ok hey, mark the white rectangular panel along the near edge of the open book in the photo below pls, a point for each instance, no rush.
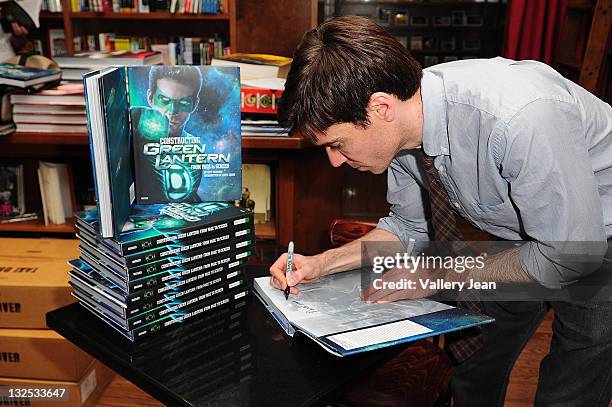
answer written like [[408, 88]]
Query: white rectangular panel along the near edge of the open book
[[378, 334]]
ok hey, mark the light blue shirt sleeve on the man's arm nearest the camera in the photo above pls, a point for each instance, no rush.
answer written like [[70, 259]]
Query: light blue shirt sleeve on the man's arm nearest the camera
[[555, 192]]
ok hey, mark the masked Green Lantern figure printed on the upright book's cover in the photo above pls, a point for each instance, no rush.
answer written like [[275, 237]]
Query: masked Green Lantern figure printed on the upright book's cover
[[173, 95]]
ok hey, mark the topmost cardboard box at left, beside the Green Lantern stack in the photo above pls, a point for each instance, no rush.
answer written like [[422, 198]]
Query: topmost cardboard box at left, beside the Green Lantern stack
[[33, 279]]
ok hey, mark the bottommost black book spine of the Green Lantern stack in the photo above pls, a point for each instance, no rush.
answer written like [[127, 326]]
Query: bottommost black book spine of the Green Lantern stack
[[188, 314]]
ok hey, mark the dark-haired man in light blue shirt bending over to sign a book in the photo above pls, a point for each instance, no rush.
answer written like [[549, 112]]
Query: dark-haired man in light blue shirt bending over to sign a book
[[520, 152]]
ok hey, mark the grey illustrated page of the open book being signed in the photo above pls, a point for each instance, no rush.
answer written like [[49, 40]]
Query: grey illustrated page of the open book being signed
[[333, 305]]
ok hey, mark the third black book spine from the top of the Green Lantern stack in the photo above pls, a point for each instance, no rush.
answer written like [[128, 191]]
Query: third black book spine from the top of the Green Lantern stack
[[185, 259]]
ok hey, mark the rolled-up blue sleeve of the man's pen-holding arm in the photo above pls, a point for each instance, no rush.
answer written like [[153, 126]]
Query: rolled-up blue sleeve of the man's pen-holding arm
[[407, 217]]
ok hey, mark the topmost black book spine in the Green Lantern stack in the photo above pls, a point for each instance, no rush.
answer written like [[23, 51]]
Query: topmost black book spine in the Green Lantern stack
[[185, 234]]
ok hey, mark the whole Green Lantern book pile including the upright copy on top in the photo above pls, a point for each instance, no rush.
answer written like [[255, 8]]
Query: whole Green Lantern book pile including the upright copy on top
[[163, 246]]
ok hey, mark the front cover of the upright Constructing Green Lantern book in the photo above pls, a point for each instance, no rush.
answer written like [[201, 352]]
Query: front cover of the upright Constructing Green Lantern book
[[186, 129]]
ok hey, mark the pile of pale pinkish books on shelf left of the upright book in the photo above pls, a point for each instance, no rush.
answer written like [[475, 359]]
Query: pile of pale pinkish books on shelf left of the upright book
[[58, 109]]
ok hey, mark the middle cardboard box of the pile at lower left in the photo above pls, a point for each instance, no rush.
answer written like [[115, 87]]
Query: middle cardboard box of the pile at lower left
[[40, 354]]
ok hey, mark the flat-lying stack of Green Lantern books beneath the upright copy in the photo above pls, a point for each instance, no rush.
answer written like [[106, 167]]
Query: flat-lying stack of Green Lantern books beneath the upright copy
[[171, 263]]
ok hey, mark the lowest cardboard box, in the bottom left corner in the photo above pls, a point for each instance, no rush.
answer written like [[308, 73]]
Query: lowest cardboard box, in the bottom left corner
[[85, 392]]
